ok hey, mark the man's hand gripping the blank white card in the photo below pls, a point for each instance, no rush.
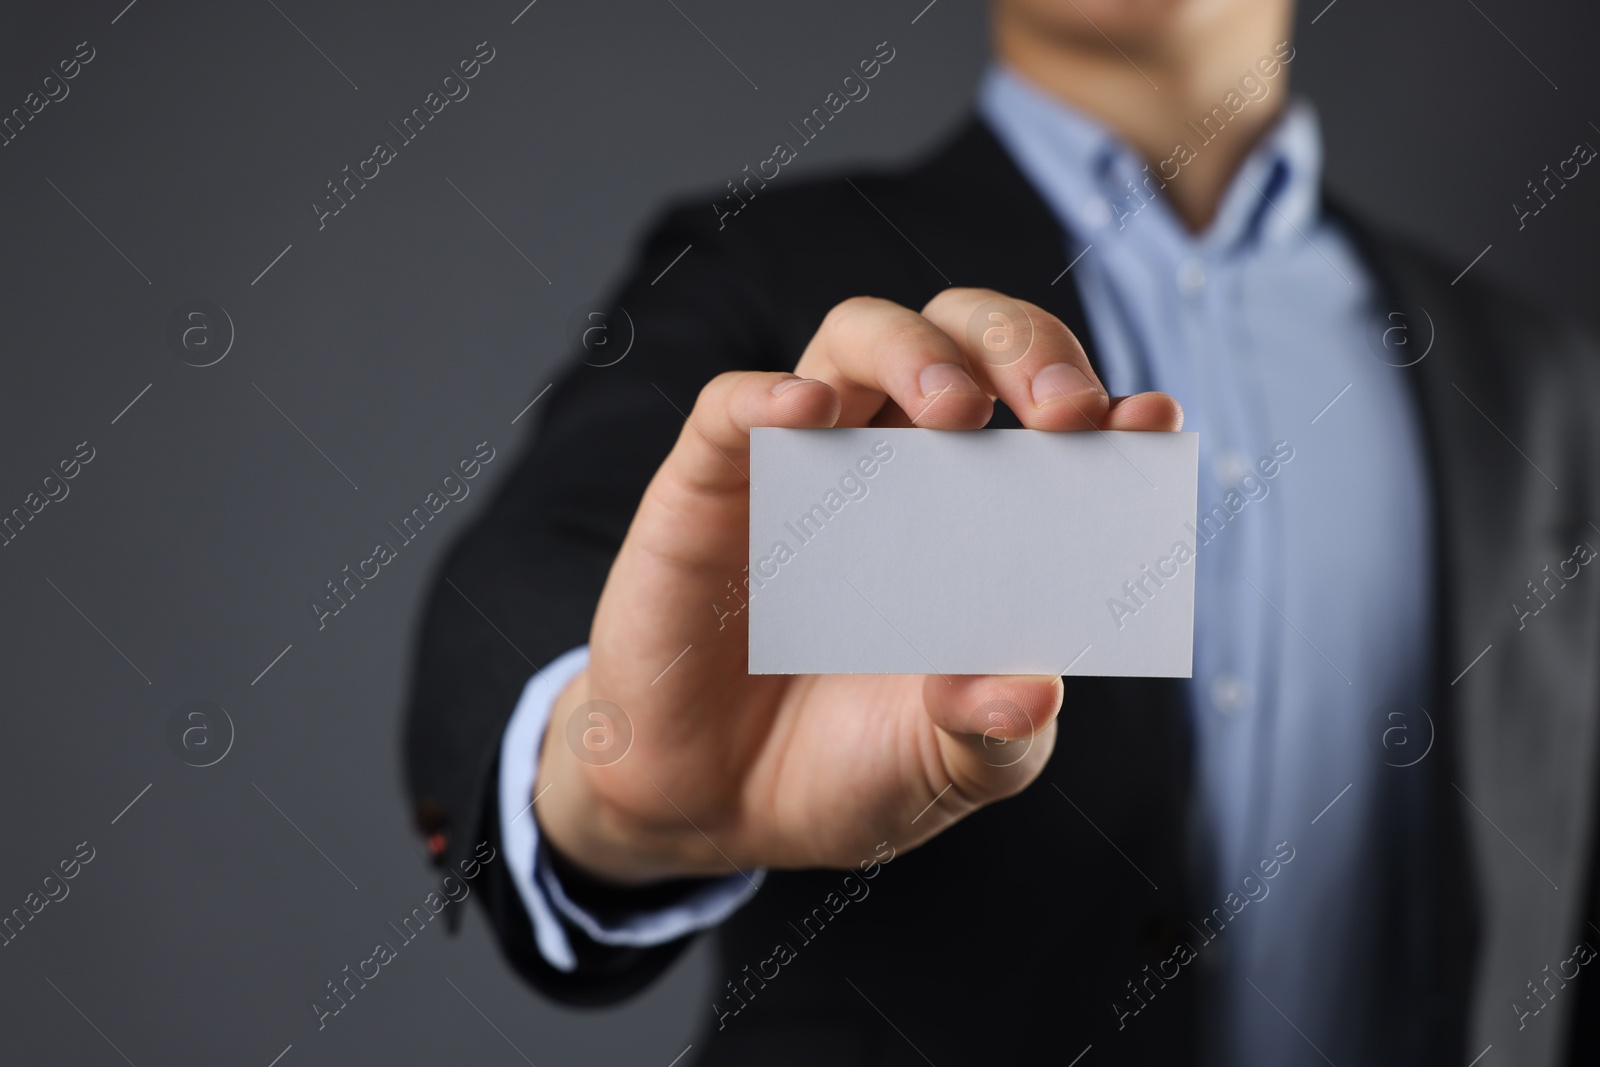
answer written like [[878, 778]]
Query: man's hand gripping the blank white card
[[730, 770]]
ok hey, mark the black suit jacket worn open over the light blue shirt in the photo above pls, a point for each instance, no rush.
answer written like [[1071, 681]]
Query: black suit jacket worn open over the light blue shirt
[[1009, 938]]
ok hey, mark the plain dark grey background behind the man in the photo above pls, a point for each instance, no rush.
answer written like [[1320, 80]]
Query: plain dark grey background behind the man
[[396, 340]]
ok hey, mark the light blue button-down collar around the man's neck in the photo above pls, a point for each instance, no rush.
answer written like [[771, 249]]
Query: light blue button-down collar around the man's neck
[[1082, 169]]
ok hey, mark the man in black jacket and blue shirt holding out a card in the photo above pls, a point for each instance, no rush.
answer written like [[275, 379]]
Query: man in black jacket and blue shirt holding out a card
[[1362, 833]]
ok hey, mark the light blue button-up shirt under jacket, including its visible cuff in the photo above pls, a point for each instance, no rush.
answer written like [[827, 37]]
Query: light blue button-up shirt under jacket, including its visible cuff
[[1313, 583]]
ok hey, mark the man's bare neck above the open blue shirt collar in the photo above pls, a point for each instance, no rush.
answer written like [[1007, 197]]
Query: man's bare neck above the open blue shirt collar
[[1151, 97]]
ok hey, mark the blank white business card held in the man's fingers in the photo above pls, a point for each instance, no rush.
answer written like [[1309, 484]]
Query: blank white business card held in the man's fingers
[[914, 551]]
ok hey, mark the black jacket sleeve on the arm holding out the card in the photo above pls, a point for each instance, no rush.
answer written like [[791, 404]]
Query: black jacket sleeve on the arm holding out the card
[[521, 586]]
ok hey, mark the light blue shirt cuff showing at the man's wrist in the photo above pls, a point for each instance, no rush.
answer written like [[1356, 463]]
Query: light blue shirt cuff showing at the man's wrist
[[537, 884]]
